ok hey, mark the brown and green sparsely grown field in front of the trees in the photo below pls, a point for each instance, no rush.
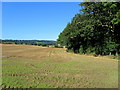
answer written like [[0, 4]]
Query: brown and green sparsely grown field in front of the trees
[[25, 66]]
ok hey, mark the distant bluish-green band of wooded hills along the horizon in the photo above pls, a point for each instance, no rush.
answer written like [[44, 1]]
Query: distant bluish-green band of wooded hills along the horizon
[[30, 42]]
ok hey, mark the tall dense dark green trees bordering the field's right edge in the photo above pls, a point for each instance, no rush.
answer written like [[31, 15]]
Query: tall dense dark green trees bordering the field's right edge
[[95, 30]]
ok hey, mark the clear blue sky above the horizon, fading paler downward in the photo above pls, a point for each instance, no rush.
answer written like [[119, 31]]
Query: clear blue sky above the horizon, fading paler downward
[[36, 20]]
